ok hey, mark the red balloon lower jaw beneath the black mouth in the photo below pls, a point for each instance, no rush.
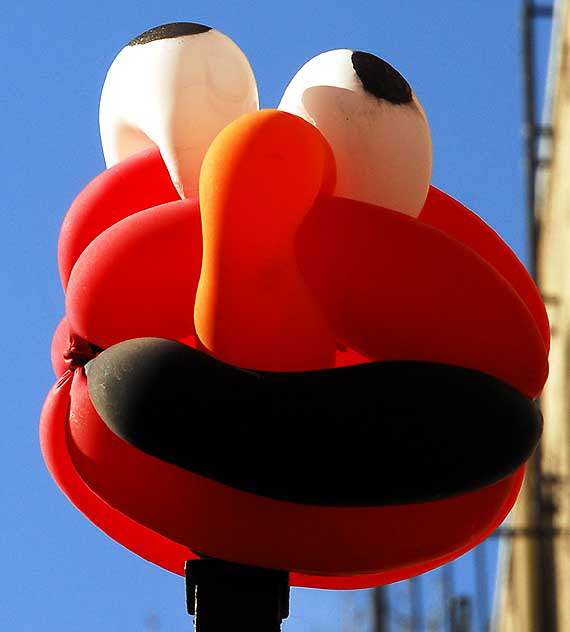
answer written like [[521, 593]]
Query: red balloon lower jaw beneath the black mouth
[[153, 507]]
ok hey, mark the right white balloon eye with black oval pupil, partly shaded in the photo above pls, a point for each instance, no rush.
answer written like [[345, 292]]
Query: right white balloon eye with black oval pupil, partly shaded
[[374, 123]]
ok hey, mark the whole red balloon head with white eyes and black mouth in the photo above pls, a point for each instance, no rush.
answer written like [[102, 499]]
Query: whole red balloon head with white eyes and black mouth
[[282, 347]]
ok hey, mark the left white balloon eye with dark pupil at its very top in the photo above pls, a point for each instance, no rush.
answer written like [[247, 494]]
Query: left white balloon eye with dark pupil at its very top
[[175, 86]]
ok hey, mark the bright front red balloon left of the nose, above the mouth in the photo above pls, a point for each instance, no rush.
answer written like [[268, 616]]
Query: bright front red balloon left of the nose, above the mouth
[[138, 277]]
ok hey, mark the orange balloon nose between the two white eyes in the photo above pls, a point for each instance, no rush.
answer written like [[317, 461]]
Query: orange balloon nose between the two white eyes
[[259, 178]]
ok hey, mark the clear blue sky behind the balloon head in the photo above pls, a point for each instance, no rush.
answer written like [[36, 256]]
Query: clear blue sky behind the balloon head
[[462, 58]]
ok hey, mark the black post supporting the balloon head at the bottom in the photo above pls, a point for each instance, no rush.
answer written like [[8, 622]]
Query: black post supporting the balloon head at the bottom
[[224, 596]]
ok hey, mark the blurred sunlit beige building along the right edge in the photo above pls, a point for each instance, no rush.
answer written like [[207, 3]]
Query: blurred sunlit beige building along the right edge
[[534, 592]]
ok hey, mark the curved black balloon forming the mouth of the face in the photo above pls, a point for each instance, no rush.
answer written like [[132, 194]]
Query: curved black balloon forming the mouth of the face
[[380, 433]]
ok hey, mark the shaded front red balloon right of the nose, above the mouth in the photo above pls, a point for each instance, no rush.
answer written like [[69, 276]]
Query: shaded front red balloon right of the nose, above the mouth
[[394, 288]]
